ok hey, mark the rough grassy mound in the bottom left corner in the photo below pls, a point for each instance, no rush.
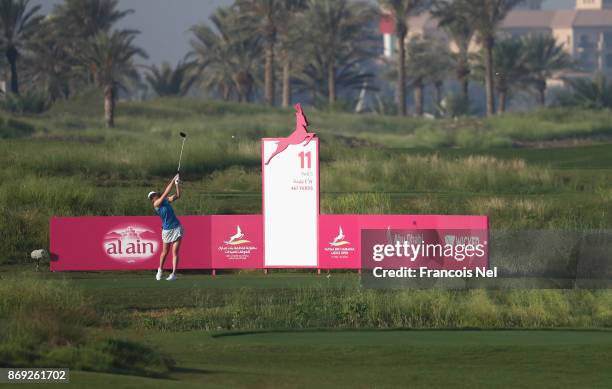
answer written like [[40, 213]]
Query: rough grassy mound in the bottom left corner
[[51, 324]]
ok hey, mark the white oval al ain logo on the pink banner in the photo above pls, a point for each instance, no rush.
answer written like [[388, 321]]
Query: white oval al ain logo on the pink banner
[[130, 243]]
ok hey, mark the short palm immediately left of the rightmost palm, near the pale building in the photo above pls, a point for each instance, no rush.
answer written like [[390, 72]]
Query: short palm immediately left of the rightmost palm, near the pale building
[[509, 57]]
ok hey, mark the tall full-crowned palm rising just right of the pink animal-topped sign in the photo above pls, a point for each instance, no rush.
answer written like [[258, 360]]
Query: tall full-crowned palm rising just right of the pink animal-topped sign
[[337, 29]]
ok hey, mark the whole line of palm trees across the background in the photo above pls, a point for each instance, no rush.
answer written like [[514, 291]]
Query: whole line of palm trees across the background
[[273, 49]]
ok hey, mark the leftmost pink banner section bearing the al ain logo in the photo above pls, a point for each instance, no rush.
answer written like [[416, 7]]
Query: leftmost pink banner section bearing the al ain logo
[[124, 243]]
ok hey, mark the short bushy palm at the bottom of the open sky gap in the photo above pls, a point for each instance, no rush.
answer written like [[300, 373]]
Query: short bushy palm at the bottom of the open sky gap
[[169, 81]]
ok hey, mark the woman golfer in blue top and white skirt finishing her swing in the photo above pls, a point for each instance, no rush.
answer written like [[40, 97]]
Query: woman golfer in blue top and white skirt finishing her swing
[[172, 230]]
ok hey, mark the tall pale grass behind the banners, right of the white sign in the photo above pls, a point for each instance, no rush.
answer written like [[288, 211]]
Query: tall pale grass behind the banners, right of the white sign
[[405, 172]]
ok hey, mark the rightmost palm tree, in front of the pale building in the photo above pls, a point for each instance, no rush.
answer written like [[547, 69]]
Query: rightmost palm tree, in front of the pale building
[[544, 57]]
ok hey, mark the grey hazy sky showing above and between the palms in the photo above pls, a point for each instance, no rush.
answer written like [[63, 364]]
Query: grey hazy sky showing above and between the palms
[[164, 23]]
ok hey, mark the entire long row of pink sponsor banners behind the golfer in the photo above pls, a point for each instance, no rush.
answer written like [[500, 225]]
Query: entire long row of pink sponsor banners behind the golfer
[[236, 241]]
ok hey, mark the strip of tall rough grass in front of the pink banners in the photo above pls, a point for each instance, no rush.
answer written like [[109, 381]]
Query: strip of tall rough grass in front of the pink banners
[[356, 308]]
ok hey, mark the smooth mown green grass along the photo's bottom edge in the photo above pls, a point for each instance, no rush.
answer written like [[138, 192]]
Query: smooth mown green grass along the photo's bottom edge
[[377, 359]]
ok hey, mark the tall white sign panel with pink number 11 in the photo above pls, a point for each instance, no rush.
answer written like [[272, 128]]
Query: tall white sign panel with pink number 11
[[291, 203]]
